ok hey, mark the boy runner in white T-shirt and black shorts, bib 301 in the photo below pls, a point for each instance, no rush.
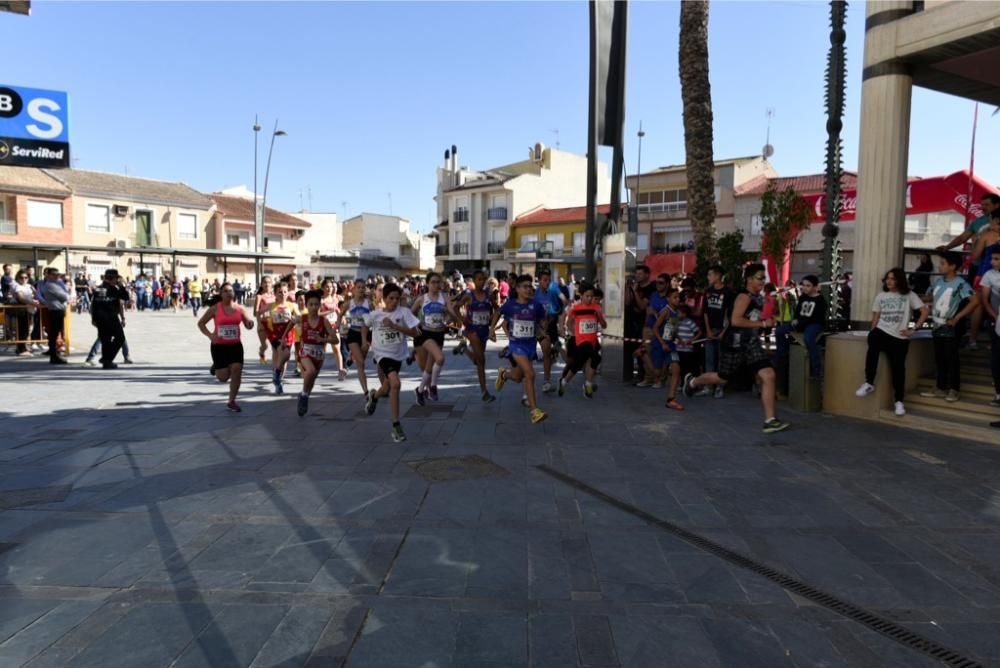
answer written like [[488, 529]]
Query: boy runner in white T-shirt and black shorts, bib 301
[[389, 327]]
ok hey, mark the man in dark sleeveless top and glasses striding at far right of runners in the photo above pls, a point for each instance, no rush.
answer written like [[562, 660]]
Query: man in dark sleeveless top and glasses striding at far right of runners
[[742, 347]]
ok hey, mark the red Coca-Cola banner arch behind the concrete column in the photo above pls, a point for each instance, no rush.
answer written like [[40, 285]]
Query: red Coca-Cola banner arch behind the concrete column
[[930, 195]]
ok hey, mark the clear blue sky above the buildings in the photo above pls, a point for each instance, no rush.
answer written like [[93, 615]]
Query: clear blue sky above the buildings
[[372, 93]]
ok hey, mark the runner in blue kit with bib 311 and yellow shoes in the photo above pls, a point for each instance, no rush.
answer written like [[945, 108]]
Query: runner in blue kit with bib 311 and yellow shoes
[[525, 317]]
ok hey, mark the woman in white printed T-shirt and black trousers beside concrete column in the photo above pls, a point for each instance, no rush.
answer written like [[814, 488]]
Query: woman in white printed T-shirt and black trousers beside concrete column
[[891, 332]]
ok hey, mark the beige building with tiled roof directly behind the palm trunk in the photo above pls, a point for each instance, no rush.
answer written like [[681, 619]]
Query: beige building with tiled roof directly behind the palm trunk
[[661, 198]]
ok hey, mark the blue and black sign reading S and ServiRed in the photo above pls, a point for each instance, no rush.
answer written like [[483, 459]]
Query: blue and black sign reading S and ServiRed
[[34, 127]]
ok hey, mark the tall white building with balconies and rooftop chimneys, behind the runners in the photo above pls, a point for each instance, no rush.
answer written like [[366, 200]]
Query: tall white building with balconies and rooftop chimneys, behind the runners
[[475, 209]]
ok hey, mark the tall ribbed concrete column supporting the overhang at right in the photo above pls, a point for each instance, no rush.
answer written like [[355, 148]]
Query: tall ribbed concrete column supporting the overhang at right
[[882, 157]]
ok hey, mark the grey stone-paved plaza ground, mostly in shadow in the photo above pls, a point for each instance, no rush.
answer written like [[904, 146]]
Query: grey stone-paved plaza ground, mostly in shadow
[[143, 525]]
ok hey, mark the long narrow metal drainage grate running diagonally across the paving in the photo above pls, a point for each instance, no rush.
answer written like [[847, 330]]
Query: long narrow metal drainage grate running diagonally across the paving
[[886, 627]]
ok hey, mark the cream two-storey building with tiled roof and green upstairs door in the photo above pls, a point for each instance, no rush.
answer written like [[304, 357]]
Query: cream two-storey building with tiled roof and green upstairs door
[[128, 215]]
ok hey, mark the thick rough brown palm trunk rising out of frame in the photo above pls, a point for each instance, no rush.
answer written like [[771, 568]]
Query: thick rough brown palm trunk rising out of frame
[[696, 95]]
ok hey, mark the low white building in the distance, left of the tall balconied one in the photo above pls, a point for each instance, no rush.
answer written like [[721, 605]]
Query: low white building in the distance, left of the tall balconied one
[[376, 235]]
